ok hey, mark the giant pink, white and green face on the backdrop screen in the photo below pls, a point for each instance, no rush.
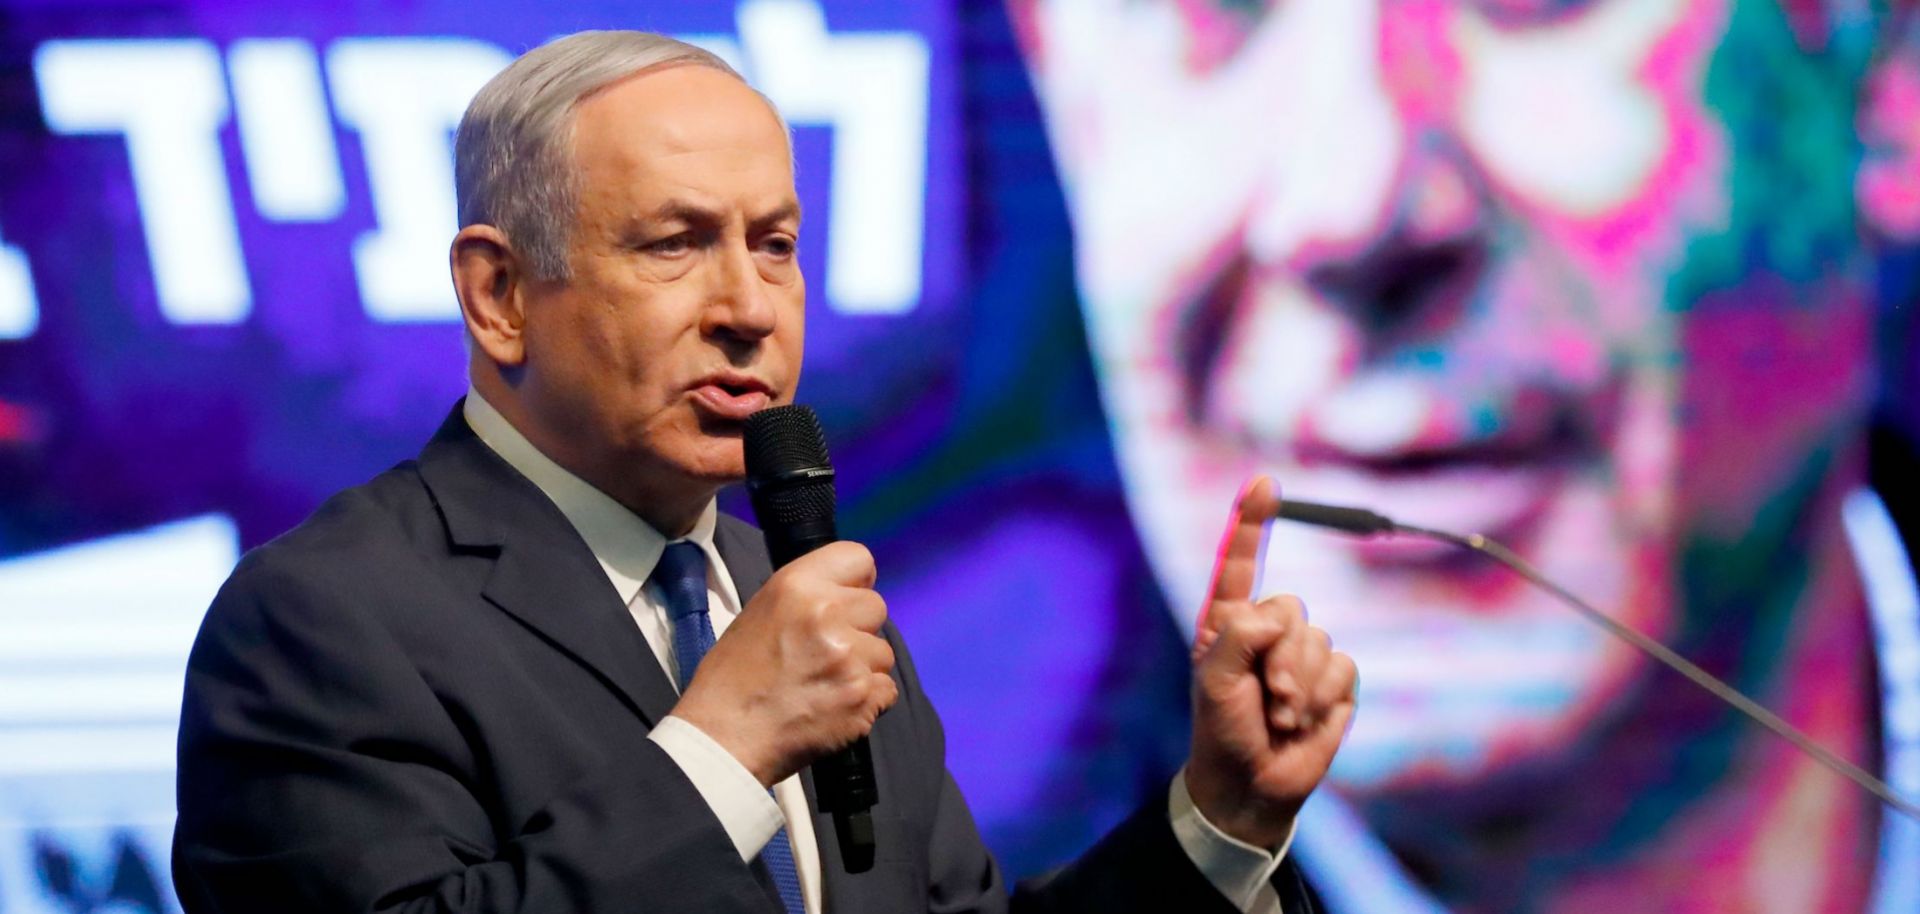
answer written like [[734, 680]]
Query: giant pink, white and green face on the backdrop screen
[[1481, 266]]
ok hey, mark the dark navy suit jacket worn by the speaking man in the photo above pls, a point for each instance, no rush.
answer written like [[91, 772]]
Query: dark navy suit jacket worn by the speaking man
[[429, 698]]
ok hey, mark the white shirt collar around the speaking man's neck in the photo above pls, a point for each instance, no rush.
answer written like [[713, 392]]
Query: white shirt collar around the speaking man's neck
[[625, 546]]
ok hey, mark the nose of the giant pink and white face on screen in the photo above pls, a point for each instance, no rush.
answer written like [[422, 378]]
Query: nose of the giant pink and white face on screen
[[1372, 203]]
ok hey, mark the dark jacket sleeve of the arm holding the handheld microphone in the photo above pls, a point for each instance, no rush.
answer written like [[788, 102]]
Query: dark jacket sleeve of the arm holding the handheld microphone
[[322, 773]]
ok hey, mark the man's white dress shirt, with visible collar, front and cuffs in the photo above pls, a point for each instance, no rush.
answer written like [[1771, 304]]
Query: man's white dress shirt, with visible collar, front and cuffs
[[629, 548]]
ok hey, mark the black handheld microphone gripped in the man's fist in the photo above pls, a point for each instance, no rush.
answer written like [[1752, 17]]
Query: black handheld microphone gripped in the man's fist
[[792, 487]]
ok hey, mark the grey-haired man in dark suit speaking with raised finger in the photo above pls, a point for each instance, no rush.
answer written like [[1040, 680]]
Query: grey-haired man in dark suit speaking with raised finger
[[537, 671]]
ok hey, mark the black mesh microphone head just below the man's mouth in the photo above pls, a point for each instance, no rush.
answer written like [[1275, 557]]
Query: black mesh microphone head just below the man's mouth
[[790, 481]]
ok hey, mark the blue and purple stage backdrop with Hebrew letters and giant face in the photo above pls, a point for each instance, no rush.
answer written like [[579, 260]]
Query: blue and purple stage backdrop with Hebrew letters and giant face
[[1627, 281]]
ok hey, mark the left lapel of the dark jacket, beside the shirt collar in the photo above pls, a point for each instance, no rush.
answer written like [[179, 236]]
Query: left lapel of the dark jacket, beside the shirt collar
[[544, 575]]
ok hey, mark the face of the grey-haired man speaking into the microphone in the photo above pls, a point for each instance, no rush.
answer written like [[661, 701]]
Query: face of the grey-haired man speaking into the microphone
[[684, 310]]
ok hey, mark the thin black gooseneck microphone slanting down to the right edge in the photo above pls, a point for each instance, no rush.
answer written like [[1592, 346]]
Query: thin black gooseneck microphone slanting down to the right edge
[[1366, 523]]
